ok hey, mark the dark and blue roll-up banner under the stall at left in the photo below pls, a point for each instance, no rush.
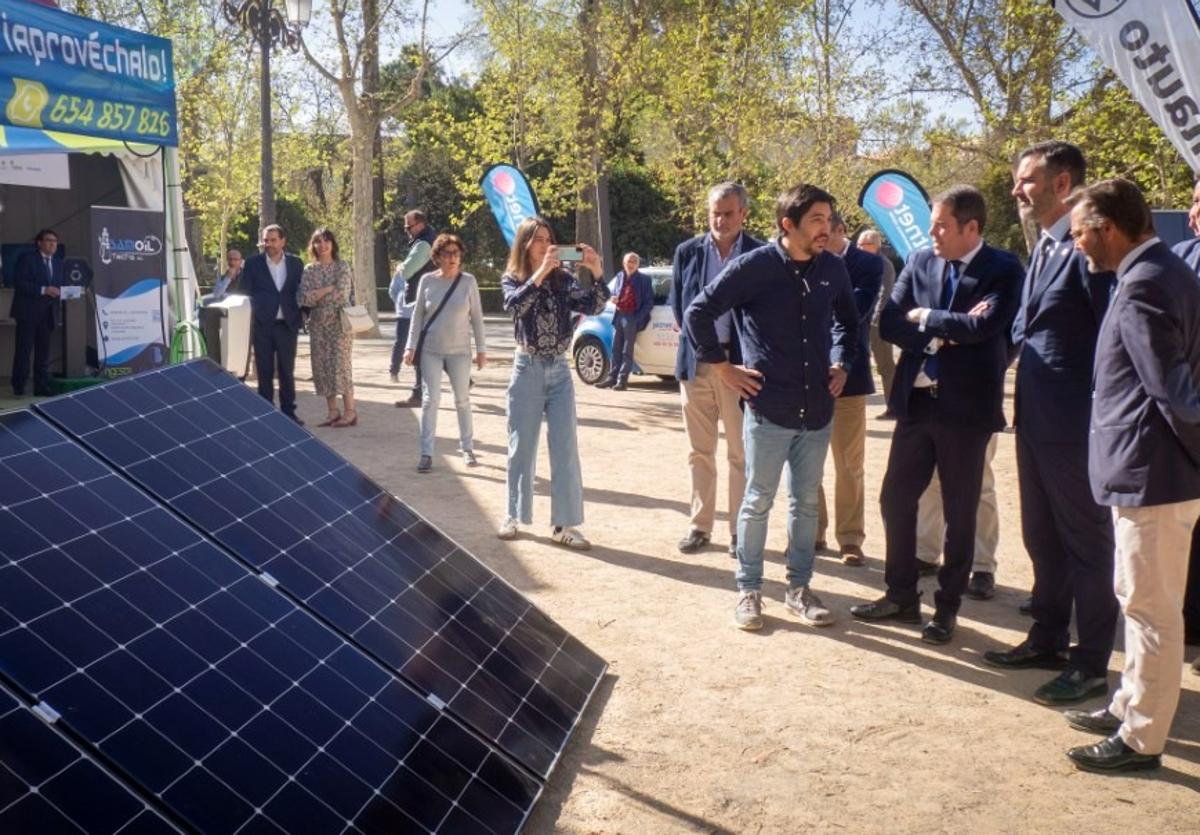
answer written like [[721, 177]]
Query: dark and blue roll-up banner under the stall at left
[[130, 289]]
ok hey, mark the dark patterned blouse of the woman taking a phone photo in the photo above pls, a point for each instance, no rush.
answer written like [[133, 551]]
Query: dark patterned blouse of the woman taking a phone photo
[[542, 315]]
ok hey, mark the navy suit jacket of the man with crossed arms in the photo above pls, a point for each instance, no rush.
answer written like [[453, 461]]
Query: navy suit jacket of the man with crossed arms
[[973, 362]]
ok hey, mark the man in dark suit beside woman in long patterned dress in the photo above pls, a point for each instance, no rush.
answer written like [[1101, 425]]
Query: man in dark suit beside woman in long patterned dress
[[272, 280]]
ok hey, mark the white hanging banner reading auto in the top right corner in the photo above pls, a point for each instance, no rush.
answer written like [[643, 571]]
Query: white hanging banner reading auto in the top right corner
[[1154, 47]]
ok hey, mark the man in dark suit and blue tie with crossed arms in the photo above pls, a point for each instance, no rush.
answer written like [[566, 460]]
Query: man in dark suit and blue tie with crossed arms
[[951, 314]]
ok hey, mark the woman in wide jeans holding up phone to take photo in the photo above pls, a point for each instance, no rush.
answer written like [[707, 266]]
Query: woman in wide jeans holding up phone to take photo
[[542, 297]]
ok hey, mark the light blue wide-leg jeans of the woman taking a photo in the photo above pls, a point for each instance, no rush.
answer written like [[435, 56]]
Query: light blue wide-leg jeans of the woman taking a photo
[[544, 388]]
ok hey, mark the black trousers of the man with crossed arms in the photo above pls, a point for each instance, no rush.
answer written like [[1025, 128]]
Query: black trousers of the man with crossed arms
[[923, 442]]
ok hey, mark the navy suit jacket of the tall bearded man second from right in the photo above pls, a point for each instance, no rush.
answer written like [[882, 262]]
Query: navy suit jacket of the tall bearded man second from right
[[1055, 331]]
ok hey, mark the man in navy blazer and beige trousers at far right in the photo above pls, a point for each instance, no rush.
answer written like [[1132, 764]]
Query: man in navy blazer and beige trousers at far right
[[1144, 461]]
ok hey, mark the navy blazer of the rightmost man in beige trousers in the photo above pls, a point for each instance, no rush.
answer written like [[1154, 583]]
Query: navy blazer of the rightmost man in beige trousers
[[1144, 448]]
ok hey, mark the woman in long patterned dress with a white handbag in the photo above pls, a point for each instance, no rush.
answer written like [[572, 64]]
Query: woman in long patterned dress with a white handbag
[[326, 290]]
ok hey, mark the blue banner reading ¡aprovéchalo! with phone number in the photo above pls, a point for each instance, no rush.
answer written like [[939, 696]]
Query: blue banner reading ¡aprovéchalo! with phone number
[[64, 73]]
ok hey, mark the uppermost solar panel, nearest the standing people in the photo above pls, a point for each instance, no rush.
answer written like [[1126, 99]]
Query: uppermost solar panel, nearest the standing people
[[345, 549]]
